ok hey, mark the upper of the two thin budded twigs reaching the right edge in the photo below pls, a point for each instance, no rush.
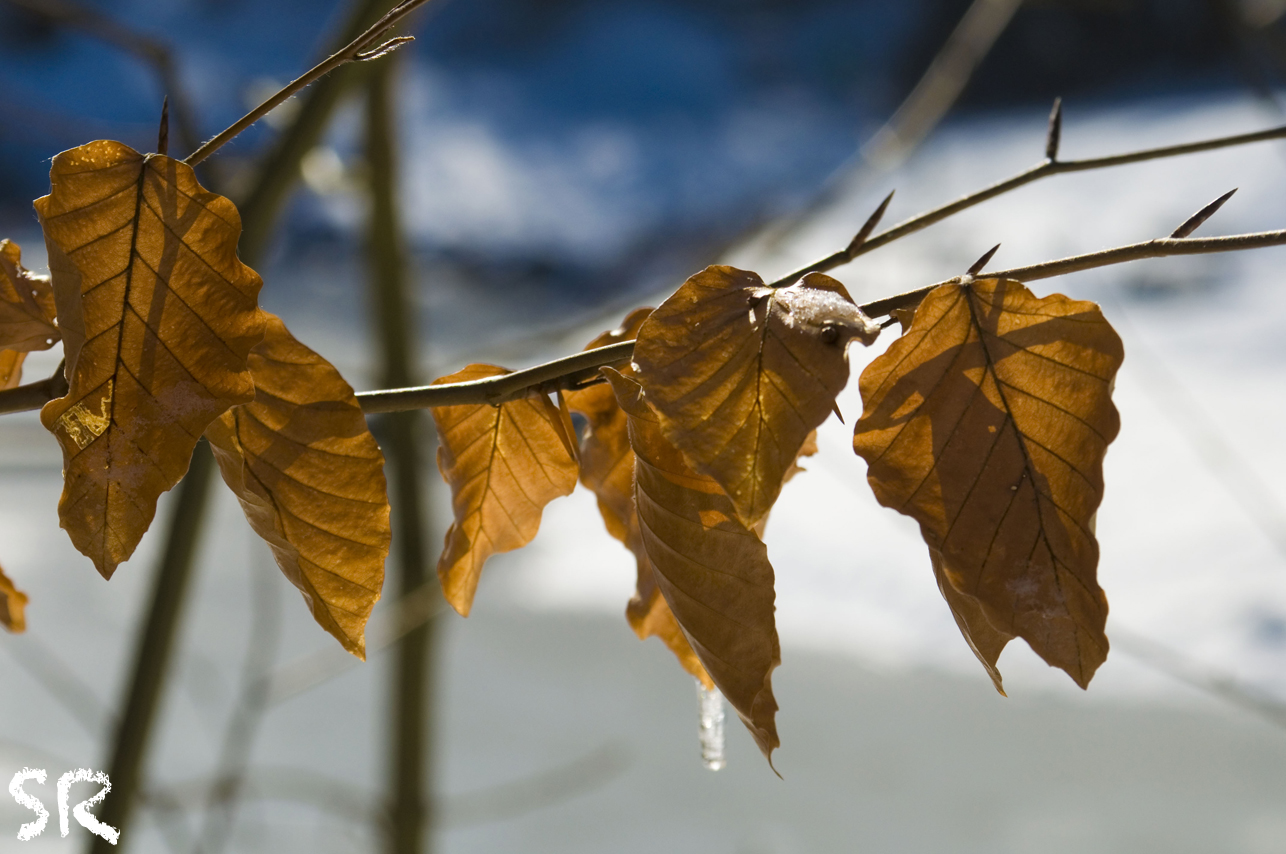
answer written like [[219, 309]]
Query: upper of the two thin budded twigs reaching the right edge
[[1045, 169]]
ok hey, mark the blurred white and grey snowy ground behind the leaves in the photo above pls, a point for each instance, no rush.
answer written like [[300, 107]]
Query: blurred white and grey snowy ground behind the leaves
[[893, 739]]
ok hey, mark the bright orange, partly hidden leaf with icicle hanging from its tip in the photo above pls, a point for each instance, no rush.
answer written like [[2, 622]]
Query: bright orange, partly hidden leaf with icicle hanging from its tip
[[608, 470]]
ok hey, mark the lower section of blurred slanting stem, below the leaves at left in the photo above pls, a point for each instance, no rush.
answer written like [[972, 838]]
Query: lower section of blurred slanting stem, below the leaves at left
[[154, 646]]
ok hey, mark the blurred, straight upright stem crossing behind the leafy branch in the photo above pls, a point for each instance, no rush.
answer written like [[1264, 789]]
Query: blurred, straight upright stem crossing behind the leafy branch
[[394, 309]]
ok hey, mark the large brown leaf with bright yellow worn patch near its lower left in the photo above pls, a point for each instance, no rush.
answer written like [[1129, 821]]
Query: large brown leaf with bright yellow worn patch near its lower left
[[159, 317]]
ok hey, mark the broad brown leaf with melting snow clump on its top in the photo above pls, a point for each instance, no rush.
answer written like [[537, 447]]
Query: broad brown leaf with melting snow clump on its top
[[741, 374]]
